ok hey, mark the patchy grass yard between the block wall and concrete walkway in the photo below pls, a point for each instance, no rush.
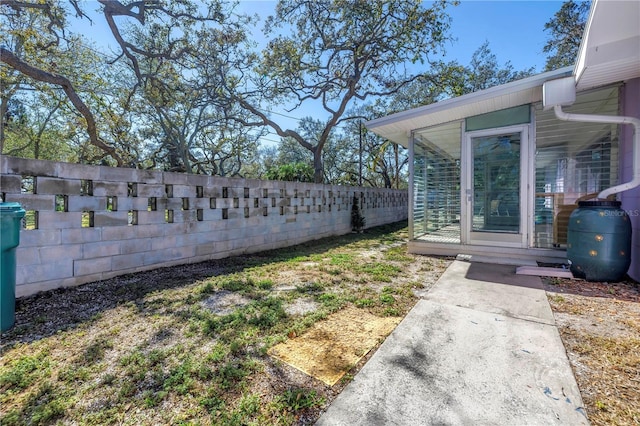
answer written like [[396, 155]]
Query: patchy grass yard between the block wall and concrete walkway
[[150, 349]]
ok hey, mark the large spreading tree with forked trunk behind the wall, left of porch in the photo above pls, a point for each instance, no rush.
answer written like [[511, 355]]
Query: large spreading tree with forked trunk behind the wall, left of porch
[[328, 54]]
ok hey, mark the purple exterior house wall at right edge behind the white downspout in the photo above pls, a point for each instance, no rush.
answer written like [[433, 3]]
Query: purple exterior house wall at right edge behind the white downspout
[[631, 198]]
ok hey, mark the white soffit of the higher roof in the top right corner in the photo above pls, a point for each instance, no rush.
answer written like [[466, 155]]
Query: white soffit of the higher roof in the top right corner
[[610, 49]]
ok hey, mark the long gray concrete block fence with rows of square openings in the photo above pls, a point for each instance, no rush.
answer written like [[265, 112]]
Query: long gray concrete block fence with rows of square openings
[[89, 223]]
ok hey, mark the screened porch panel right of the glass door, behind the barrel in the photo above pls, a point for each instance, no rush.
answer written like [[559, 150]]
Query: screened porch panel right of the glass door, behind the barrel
[[574, 162]]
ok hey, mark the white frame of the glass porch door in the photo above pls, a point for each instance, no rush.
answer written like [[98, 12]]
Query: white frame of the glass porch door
[[487, 238]]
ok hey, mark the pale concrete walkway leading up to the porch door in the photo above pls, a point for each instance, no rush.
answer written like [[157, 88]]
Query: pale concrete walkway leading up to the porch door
[[480, 348]]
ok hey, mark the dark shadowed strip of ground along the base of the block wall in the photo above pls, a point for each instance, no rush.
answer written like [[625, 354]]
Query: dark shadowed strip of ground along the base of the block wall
[[46, 313]]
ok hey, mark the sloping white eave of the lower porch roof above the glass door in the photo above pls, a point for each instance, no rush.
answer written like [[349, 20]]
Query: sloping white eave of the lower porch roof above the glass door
[[397, 127]]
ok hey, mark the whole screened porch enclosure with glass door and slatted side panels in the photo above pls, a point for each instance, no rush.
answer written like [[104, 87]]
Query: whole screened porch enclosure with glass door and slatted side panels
[[525, 183]]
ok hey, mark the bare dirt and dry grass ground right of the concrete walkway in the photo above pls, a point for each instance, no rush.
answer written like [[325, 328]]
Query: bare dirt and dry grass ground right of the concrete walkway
[[600, 327]]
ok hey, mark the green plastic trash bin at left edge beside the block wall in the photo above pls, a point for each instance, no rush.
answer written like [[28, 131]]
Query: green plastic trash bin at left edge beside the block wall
[[10, 216]]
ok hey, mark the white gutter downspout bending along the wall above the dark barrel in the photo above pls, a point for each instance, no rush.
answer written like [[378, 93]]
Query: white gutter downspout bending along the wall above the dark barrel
[[592, 118]]
